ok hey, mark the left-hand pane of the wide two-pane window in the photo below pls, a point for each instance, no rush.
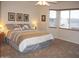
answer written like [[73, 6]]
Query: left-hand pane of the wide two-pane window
[[64, 22]]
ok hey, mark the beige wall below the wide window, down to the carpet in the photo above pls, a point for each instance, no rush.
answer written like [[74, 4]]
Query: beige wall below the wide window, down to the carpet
[[69, 35]]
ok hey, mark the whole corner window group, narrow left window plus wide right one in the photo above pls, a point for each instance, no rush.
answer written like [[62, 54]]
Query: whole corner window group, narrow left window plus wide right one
[[68, 19]]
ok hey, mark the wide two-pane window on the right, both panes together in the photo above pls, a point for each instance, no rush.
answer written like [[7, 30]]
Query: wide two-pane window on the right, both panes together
[[69, 19]]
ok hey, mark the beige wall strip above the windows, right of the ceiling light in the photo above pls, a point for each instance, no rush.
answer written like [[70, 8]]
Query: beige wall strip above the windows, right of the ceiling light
[[65, 5]]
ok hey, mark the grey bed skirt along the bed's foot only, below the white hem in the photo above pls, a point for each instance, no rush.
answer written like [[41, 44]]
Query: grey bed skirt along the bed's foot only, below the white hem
[[38, 46]]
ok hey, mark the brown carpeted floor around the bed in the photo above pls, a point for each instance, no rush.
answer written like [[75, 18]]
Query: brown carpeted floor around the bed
[[58, 49]]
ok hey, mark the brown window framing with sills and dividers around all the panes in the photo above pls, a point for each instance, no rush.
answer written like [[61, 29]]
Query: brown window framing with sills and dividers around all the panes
[[60, 19]]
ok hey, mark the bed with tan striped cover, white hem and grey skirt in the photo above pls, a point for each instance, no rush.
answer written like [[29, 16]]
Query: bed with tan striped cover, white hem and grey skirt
[[29, 40]]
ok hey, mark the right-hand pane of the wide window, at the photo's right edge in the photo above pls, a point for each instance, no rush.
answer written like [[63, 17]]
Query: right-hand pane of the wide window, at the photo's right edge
[[74, 19]]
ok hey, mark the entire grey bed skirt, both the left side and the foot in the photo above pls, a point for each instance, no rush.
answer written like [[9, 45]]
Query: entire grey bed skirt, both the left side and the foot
[[32, 48]]
